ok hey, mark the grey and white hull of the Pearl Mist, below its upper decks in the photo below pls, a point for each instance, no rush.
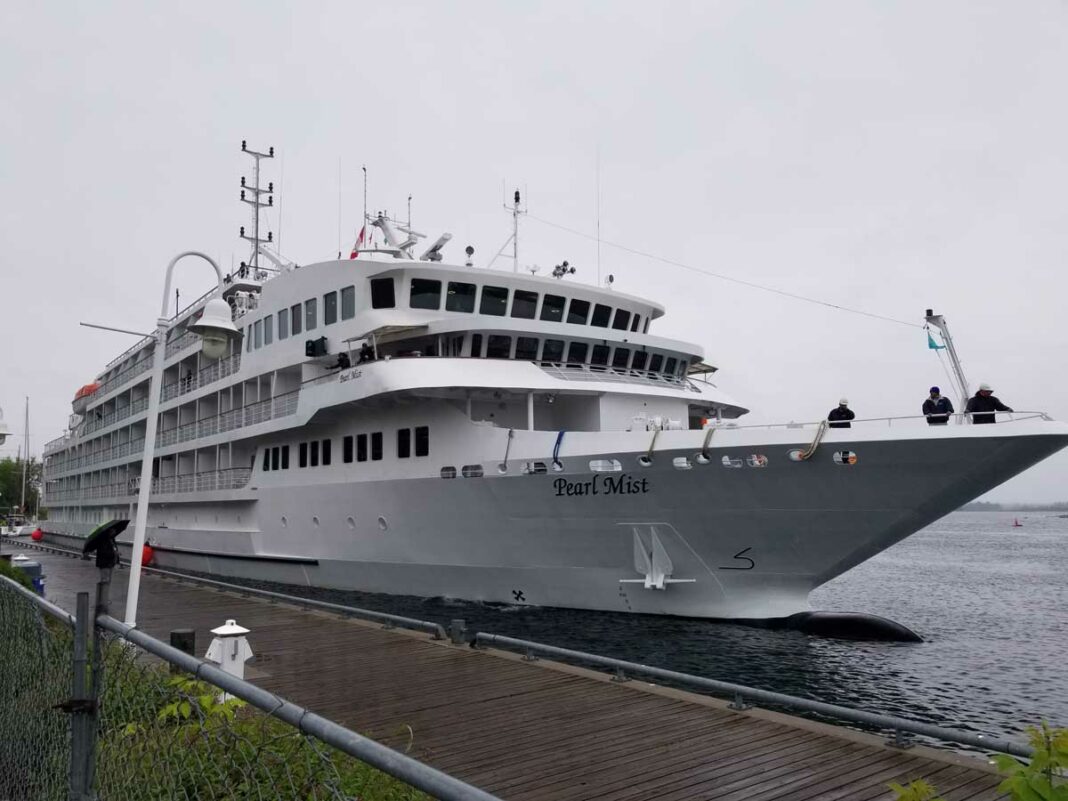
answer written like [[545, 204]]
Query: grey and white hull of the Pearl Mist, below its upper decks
[[744, 542]]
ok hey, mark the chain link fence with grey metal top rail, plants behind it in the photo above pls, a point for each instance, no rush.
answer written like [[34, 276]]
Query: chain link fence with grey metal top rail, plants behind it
[[159, 732]]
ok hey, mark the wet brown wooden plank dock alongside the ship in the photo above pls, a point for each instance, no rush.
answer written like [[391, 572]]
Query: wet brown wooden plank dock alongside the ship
[[531, 731]]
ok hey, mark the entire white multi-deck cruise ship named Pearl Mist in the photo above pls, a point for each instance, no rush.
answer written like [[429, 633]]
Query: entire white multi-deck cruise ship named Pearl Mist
[[395, 423]]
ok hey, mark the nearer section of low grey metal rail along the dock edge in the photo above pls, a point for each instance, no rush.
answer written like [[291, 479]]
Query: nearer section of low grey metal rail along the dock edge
[[741, 695]]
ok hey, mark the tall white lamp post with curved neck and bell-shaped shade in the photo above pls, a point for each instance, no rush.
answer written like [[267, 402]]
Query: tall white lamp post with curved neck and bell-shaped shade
[[216, 327]]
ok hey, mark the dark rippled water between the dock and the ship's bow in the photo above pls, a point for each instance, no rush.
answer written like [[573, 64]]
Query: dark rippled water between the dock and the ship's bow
[[991, 601]]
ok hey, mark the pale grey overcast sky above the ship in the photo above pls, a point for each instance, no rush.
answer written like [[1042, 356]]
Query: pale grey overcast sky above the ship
[[885, 156]]
